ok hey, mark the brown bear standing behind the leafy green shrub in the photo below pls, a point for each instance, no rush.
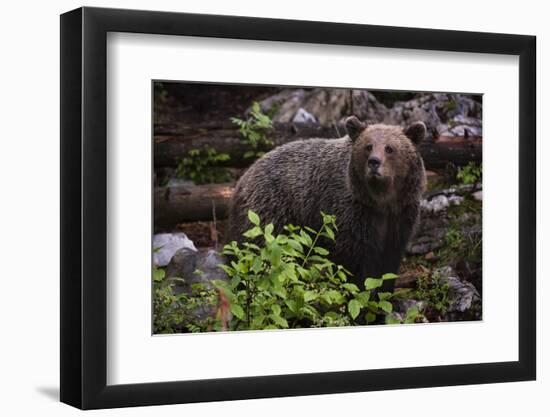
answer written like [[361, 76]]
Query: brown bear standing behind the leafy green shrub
[[372, 180]]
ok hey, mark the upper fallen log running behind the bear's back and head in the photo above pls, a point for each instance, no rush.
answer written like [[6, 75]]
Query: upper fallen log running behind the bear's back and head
[[173, 142]]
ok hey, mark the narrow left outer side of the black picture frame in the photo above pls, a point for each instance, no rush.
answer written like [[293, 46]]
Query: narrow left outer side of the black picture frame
[[70, 219]]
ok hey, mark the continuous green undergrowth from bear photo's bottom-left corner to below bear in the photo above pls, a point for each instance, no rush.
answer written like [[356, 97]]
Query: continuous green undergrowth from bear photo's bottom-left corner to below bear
[[275, 282]]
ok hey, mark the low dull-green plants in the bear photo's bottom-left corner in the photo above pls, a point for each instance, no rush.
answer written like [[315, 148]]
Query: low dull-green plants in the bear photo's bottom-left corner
[[176, 313]]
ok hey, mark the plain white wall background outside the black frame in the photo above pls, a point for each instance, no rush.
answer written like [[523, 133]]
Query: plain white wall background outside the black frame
[[29, 167]]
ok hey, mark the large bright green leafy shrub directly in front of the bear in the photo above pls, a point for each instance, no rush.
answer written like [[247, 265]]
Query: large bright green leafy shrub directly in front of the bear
[[286, 281]]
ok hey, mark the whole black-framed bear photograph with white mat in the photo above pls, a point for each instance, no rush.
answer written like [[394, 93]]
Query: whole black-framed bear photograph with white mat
[[258, 208]]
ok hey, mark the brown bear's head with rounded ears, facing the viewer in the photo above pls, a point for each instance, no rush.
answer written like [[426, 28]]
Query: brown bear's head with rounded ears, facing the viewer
[[385, 163]]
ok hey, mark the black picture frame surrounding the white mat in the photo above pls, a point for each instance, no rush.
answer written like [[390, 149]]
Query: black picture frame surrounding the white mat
[[84, 207]]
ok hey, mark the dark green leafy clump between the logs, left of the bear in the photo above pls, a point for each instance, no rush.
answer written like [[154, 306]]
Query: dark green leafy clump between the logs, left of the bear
[[202, 166]]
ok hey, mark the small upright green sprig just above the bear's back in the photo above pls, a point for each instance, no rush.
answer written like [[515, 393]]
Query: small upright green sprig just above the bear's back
[[255, 132]]
